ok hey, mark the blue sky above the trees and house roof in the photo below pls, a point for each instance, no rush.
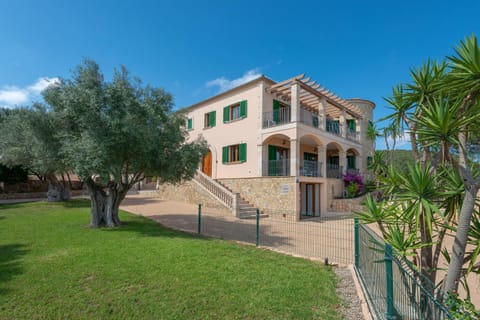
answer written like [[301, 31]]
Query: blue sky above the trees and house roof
[[194, 49]]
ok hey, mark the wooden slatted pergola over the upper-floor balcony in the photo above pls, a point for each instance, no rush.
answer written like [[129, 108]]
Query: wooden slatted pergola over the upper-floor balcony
[[311, 94]]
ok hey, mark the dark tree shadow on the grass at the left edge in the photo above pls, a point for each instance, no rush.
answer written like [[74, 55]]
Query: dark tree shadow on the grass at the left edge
[[10, 263]]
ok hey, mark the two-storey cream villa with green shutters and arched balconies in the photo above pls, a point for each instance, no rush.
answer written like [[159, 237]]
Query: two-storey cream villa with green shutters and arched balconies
[[281, 145]]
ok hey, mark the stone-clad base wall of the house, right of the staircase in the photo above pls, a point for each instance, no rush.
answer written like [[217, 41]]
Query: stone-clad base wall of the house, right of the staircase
[[266, 193]]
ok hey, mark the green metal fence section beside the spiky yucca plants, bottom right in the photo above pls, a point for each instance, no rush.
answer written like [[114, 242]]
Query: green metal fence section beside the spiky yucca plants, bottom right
[[394, 289]]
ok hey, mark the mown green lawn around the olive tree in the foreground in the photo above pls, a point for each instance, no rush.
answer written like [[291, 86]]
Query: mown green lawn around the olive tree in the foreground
[[52, 266]]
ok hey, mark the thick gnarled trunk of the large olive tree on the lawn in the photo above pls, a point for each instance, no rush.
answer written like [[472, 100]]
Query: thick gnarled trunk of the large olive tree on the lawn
[[105, 203]]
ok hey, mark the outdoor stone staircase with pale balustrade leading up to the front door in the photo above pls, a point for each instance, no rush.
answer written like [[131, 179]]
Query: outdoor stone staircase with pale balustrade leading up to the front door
[[240, 207]]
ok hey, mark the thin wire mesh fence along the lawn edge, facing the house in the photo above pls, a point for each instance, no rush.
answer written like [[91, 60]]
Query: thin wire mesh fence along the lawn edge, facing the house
[[315, 238]]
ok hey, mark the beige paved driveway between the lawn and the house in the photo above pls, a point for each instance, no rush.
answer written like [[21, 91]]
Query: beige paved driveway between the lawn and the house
[[319, 238]]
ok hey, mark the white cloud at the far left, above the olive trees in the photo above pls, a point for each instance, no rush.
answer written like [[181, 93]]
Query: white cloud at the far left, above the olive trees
[[11, 96]]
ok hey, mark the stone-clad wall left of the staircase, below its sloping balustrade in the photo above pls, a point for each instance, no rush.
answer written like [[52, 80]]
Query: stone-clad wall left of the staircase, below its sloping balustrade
[[189, 192]]
